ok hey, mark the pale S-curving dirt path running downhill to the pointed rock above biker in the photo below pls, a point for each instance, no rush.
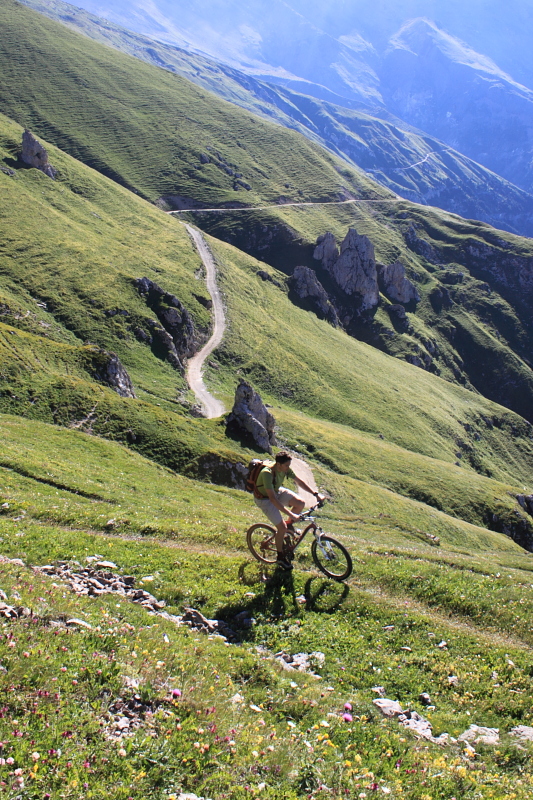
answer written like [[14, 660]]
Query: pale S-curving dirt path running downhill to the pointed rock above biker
[[211, 407]]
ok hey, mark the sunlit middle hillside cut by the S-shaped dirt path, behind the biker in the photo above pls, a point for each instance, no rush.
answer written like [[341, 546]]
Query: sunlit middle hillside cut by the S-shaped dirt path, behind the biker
[[71, 302]]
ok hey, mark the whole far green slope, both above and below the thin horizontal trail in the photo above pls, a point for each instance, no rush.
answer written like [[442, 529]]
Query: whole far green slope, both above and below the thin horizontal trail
[[142, 149]]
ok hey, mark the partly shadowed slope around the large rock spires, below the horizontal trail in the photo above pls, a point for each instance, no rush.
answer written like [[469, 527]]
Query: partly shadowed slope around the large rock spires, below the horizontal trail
[[483, 340]]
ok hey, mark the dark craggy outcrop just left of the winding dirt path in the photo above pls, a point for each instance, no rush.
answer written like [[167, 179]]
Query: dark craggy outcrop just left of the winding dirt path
[[174, 336]]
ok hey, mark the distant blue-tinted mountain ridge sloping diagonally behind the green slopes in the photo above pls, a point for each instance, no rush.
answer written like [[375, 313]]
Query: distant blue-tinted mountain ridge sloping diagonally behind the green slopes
[[397, 155]]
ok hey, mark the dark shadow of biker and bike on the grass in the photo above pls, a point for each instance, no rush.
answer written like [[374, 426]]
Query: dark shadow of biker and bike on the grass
[[277, 597]]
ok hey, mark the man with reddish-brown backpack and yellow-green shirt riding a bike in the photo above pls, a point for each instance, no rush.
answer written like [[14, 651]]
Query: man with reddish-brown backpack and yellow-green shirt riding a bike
[[274, 499]]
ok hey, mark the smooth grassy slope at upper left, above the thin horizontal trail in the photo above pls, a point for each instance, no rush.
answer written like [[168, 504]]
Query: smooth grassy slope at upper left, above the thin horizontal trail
[[152, 140]]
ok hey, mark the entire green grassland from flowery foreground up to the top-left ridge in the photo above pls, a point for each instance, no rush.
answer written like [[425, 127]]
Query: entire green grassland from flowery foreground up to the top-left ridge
[[421, 470]]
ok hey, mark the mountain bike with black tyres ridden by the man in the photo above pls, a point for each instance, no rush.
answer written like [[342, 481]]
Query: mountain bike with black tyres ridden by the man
[[329, 555]]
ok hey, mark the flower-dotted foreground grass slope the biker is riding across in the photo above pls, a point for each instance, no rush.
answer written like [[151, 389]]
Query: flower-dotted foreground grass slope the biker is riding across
[[404, 599]]
